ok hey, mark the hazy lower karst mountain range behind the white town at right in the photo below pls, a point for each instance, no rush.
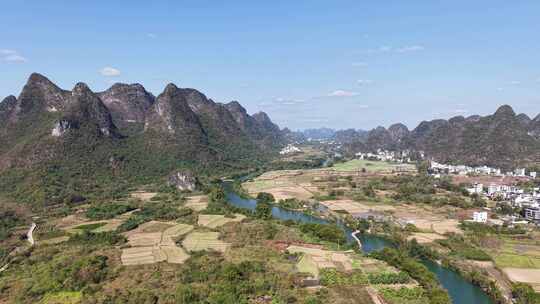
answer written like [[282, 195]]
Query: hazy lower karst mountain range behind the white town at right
[[504, 139]]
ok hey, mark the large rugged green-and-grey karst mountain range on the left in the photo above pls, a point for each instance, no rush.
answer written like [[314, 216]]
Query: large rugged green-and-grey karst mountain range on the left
[[126, 132]]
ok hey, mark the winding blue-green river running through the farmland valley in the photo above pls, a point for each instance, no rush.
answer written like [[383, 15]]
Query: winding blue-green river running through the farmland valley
[[461, 291]]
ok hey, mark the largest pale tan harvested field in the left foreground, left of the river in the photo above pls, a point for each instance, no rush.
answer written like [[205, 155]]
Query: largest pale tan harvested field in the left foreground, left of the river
[[153, 242]]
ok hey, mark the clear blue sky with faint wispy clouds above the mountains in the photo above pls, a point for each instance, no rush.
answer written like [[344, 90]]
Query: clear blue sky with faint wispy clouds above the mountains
[[341, 64]]
